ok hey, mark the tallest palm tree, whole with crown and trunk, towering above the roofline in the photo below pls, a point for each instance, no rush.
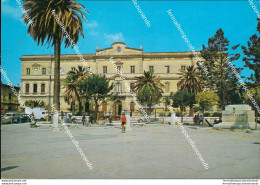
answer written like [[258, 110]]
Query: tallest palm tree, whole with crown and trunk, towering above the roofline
[[46, 29]]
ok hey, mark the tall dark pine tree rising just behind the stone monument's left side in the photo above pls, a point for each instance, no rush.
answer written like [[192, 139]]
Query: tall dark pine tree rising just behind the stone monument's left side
[[220, 78]]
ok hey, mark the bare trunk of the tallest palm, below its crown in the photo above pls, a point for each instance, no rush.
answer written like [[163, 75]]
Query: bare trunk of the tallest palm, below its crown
[[56, 96]]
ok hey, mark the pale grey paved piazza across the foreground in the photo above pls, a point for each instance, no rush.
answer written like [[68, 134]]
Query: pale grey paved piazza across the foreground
[[143, 152]]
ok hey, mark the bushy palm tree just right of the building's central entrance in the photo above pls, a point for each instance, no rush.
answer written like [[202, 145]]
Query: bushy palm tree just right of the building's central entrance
[[149, 89]]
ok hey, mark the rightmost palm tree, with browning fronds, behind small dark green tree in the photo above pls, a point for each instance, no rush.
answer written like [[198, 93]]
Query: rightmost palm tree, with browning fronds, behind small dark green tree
[[190, 81]]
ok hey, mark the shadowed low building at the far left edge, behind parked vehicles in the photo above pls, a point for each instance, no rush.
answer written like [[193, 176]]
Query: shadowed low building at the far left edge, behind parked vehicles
[[9, 102]]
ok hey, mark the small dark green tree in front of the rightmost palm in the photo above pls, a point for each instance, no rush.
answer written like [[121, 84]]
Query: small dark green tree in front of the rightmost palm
[[181, 99]]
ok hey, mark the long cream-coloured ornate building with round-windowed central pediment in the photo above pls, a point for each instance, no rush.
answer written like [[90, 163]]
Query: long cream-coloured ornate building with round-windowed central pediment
[[38, 74]]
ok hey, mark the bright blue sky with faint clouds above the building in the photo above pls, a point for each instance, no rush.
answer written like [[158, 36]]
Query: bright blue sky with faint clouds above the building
[[111, 21]]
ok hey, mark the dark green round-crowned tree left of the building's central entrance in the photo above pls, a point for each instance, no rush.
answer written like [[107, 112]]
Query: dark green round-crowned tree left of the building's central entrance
[[97, 88]]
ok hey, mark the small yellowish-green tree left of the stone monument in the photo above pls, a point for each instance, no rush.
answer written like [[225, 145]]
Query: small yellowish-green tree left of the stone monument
[[206, 100]]
